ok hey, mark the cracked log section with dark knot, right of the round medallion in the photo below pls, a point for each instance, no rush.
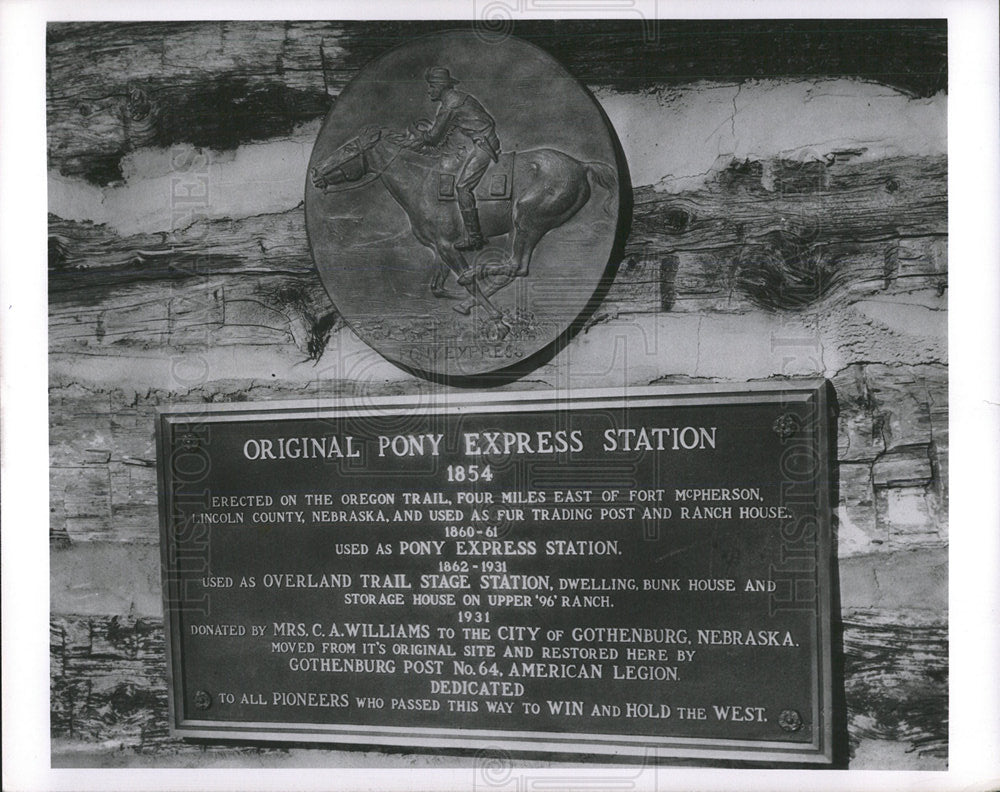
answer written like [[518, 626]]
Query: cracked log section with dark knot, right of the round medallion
[[788, 248]]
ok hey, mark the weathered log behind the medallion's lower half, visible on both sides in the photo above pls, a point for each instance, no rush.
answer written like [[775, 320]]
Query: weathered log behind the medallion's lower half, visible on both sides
[[252, 280]]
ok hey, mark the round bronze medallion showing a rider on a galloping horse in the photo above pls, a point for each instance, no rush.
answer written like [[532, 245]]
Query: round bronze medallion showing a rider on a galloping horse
[[463, 203]]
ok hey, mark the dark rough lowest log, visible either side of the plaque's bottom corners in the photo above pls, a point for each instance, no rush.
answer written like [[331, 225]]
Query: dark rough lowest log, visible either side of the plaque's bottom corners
[[108, 681]]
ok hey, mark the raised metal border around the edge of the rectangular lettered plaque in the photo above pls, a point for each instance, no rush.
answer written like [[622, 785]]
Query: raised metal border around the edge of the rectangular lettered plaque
[[818, 751]]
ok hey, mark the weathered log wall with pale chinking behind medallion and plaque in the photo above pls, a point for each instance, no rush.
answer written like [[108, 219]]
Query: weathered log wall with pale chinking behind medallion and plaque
[[773, 264]]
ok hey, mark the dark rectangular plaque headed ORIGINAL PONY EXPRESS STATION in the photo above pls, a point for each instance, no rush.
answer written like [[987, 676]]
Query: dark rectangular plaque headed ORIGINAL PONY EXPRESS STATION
[[636, 573]]
